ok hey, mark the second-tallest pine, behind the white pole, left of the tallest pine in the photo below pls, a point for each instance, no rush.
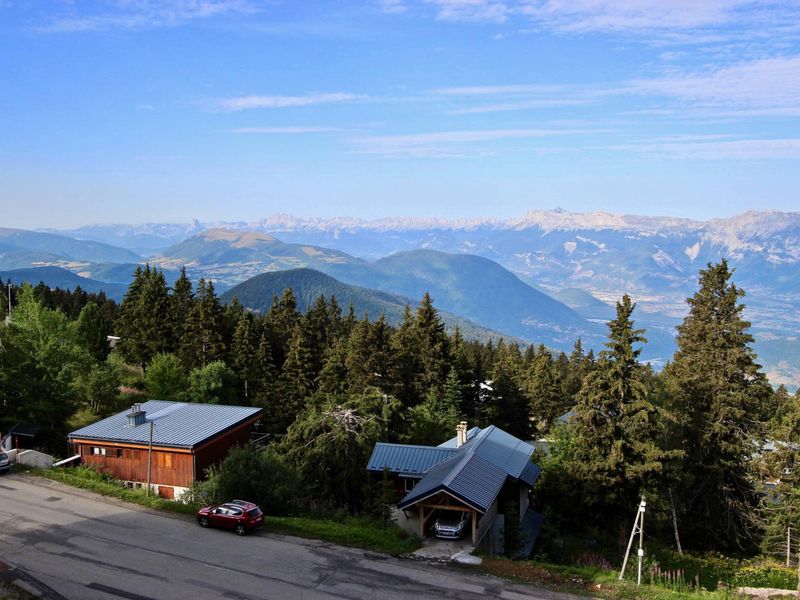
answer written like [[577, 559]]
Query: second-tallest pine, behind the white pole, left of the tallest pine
[[618, 429]]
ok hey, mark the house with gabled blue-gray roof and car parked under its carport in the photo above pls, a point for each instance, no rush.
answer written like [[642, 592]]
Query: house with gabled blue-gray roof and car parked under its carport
[[486, 473]]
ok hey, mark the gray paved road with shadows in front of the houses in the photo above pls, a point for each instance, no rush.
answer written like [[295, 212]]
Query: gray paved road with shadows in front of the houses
[[85, 546]]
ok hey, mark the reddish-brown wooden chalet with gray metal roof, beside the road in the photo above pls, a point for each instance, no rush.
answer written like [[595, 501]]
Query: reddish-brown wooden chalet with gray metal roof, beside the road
[[186, 439]]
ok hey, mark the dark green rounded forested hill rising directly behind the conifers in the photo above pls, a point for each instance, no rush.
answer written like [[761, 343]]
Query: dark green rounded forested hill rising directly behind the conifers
[[308, 285]]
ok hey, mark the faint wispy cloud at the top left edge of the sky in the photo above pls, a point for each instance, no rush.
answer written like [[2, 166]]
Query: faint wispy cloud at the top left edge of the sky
[[146, 14]]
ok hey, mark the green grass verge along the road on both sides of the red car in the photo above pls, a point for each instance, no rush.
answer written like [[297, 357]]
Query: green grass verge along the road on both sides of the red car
[[349, 531]]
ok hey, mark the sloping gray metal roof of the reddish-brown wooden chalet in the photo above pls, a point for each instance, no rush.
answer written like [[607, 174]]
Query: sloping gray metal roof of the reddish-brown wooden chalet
[[175, 424]]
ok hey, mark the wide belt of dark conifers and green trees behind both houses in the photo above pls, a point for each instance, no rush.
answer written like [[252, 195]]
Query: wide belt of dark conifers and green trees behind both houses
[[691, 438]]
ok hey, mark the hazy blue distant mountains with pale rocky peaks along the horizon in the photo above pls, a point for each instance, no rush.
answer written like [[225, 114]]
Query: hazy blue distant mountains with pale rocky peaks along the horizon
[[586, 261]]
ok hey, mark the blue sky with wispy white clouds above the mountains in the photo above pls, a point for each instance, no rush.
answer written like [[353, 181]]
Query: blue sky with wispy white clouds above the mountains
[[133, 111]]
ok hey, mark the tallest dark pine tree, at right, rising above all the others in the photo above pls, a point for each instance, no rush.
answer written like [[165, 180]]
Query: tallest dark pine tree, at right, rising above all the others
[[720, 395]]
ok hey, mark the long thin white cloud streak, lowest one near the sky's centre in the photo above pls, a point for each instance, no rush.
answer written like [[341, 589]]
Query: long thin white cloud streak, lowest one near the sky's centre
[[448, 144]]
